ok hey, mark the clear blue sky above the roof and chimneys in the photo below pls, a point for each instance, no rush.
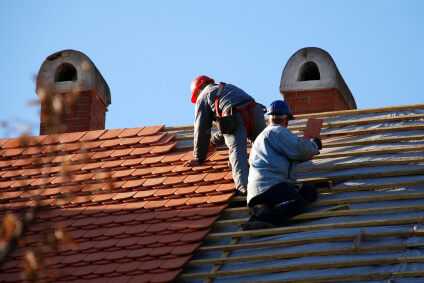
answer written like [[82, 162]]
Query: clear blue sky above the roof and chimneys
[[150, 51]]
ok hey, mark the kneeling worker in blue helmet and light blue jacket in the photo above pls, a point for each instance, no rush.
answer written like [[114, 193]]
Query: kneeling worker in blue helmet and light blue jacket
[[273, 192]]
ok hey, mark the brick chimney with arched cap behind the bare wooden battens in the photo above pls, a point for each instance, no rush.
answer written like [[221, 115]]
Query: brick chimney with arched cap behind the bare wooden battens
[[311, 83]]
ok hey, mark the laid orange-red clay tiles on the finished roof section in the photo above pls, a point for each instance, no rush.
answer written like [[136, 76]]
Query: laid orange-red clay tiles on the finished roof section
[[132, 210]]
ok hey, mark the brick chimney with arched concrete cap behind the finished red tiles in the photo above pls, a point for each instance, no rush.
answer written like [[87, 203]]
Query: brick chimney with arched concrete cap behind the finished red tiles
[[74, 96]]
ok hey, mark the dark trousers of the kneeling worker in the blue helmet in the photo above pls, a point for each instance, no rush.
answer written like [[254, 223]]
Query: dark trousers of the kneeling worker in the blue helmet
[[280, 202]]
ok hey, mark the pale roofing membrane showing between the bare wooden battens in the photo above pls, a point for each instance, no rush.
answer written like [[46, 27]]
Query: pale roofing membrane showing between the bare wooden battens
[[340, 271]]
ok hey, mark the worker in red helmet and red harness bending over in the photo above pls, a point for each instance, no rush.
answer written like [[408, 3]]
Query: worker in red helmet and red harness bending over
[[238, 117]]
